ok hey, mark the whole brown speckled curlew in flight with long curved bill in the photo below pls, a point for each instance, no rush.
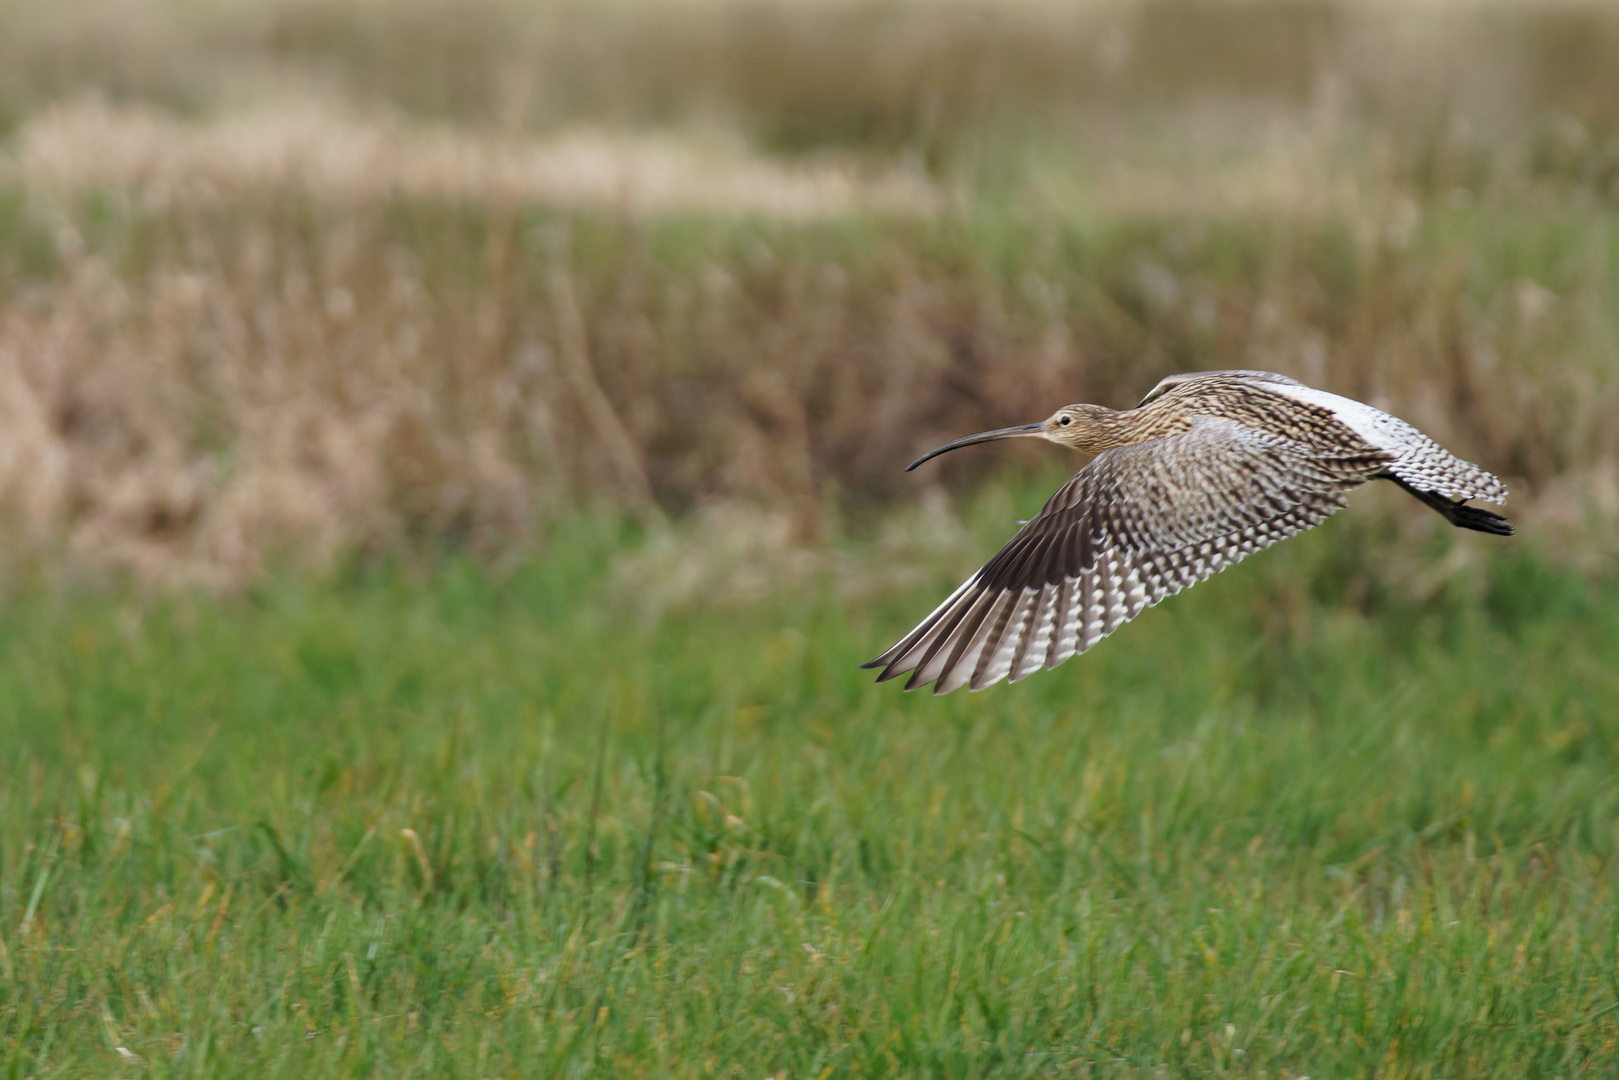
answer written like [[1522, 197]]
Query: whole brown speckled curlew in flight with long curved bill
[[1207, 470]]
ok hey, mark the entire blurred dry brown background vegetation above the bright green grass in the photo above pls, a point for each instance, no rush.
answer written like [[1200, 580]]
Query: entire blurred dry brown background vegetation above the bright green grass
[[257, 331]]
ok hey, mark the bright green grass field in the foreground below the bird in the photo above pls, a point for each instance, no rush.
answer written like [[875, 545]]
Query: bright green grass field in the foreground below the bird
[[1288, 823]]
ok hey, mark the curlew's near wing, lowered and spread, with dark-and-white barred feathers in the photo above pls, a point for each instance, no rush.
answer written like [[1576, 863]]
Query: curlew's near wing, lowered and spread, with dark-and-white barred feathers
[[1136, 525]]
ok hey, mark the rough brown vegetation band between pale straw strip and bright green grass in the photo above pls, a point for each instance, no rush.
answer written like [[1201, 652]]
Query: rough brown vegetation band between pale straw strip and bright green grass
[[205, 391]]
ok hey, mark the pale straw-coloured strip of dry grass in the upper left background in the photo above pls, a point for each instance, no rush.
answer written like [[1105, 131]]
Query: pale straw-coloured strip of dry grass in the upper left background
[[172, 166]]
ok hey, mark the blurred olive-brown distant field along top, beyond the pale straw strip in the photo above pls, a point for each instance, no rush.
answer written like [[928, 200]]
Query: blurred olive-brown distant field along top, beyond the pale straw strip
[[941, 80]]
